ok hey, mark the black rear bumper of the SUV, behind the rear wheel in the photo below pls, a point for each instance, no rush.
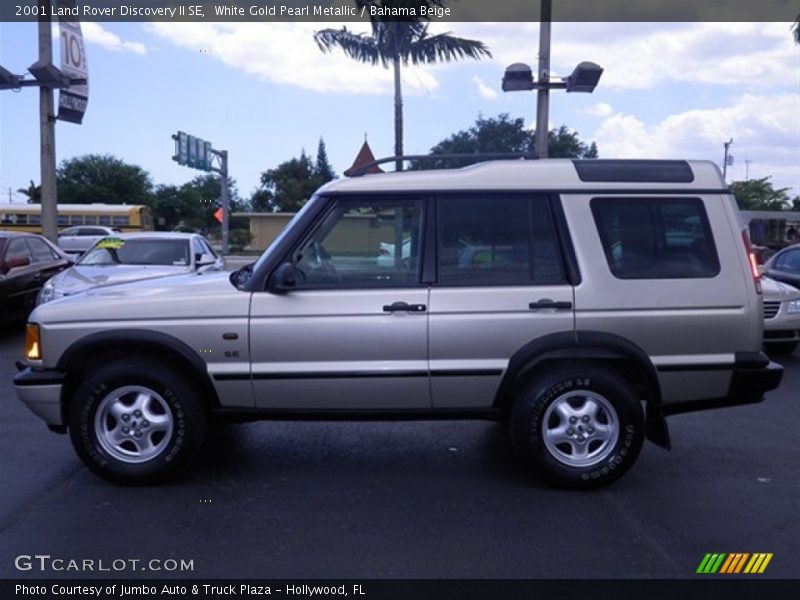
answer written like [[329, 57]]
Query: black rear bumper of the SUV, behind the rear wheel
[[753, 375]]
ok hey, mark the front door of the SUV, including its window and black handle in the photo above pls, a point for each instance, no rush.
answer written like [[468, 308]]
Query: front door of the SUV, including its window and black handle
[[353, 333]]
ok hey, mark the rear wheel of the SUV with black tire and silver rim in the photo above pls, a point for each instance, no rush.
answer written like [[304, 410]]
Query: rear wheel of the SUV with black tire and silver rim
[[549, 404]]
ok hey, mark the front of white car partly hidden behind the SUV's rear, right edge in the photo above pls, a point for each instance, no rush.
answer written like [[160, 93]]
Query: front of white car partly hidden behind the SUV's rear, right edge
[[781, 316]]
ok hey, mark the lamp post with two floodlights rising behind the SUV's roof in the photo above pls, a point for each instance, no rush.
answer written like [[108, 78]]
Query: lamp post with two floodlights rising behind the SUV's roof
[[519, 77]]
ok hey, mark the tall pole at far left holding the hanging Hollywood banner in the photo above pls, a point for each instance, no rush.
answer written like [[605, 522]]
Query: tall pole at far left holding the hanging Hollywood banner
[[47, 137]]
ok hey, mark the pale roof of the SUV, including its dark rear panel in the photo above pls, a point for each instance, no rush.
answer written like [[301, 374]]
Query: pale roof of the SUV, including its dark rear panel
[[549, 174]]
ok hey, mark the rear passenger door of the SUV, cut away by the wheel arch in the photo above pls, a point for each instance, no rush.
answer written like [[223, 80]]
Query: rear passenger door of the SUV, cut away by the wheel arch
[[501, 283]]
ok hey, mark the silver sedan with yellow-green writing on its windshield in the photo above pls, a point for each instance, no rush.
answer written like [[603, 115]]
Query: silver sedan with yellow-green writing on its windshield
[[133, 256]]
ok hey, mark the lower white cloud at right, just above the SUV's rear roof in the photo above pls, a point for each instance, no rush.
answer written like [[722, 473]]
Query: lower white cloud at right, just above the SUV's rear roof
[[768, 138]]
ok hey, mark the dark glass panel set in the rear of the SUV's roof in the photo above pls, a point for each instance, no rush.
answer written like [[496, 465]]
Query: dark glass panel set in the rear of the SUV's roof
[[634, 171]]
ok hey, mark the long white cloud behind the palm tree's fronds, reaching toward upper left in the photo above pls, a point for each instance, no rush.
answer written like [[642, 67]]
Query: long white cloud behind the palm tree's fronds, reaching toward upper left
[[286, 53]]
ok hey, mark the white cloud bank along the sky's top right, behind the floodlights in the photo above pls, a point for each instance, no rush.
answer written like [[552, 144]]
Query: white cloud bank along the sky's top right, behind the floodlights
[[643, 55]]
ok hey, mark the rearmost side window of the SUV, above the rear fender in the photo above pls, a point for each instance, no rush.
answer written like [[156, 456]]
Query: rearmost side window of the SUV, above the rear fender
[[656, 238]]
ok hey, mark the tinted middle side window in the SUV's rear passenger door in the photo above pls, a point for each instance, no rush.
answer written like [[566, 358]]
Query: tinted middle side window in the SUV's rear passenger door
[[497, 241]]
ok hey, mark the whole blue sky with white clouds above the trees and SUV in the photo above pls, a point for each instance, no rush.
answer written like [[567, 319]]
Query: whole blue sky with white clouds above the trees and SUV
[[264, 92]]
